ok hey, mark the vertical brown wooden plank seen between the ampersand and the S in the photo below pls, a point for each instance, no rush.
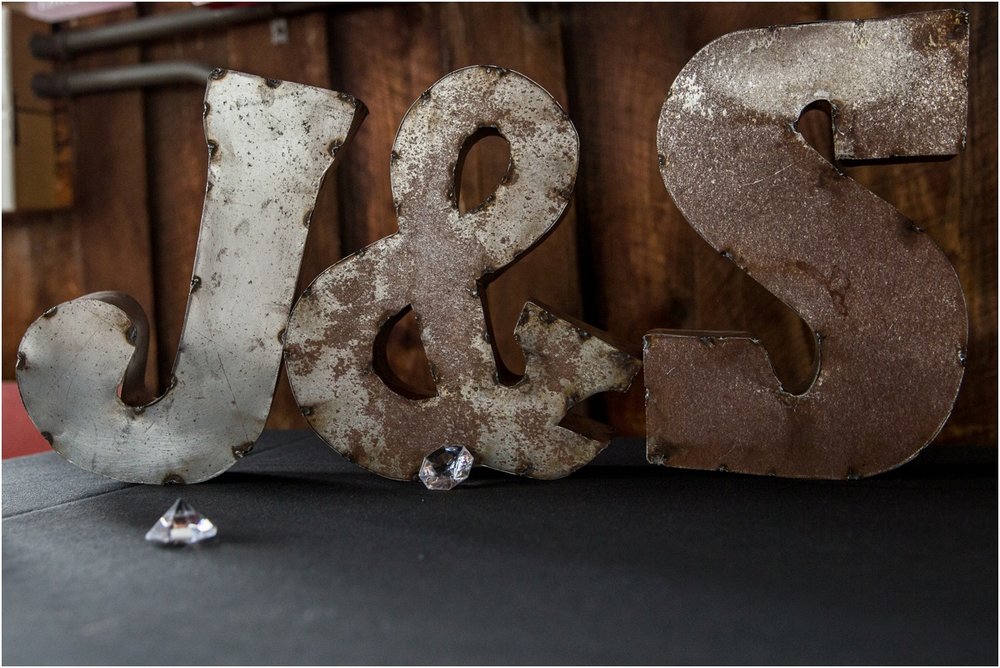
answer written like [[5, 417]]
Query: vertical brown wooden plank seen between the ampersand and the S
[[633, 275]]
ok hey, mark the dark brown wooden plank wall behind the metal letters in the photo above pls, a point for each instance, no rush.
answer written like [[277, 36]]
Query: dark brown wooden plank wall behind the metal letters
[[623, 258]]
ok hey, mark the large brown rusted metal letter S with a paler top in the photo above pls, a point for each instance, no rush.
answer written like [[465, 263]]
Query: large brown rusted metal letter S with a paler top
[[884, 303]]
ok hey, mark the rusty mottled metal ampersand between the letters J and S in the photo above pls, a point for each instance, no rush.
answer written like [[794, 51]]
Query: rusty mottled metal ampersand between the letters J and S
[[437, 264]]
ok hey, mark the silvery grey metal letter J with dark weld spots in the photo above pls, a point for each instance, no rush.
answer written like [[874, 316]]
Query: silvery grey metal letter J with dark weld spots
[[270, 144]]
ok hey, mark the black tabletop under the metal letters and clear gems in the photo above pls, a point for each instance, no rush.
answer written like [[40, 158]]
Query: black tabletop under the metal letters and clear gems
[[320, 562]]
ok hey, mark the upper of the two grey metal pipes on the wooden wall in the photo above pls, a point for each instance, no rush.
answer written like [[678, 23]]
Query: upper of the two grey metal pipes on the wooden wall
[[66, 43]]
